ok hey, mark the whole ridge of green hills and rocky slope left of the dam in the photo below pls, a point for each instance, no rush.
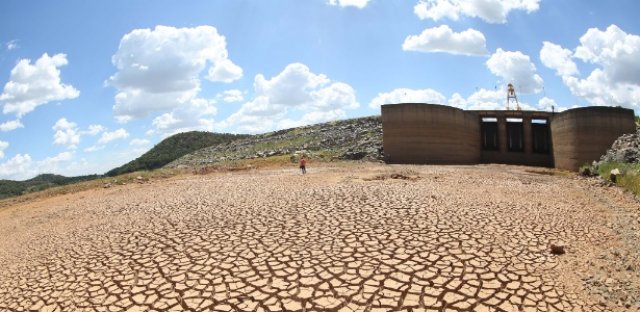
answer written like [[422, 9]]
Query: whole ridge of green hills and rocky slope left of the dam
[[355, 139]]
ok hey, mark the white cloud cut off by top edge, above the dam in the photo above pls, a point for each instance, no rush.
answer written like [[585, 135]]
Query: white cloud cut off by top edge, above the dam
[[491, 11]]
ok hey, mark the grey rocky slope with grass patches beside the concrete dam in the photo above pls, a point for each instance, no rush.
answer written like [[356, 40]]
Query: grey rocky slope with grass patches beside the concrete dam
[[353, 139]]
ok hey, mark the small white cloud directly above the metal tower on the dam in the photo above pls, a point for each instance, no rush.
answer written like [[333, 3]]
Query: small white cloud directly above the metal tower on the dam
[[516, 68]]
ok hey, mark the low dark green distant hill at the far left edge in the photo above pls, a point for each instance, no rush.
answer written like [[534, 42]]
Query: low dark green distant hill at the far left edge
[[10, 188]]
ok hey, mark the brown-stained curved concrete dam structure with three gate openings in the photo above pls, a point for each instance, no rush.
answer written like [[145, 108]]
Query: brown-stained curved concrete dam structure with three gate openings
[[438, 134]]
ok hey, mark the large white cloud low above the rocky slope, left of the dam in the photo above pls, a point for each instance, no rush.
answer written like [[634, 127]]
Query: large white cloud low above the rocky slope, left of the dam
[[296, 88]]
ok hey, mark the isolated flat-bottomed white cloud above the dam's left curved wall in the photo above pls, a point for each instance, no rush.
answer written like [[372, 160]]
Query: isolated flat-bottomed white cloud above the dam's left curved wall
[[443, 39]]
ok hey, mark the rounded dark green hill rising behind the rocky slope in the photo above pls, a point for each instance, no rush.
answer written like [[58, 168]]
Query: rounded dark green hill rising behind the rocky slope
[[173, 148]]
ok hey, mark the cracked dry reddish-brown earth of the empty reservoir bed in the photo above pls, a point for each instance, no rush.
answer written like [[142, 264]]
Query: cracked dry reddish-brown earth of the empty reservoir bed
[[338, 239]]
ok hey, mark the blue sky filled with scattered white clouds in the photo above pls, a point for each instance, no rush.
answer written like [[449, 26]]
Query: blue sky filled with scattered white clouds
[[90, 85]]
